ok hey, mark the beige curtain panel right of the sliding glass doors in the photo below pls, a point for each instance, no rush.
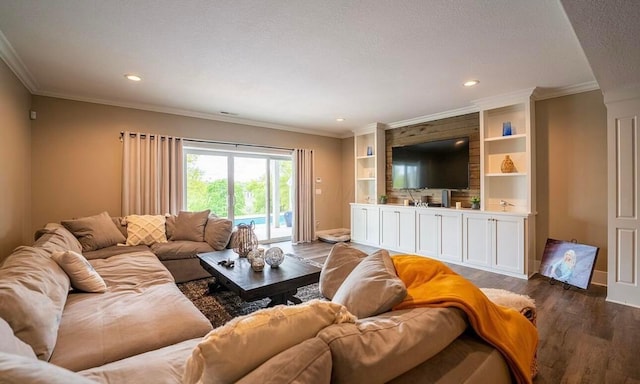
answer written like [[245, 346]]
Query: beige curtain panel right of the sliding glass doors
[[304, 216]]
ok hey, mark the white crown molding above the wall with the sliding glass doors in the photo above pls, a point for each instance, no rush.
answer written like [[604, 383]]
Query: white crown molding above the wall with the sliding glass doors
[[188, 113]]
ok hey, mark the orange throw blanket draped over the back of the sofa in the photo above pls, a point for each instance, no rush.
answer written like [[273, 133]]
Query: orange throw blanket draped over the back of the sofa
[[430, 283]]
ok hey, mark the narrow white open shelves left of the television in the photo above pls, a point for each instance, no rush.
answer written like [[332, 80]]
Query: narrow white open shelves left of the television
[[369, 152]]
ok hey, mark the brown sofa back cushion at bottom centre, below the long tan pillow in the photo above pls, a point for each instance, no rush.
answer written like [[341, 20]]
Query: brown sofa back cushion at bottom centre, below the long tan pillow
[[307, 362]]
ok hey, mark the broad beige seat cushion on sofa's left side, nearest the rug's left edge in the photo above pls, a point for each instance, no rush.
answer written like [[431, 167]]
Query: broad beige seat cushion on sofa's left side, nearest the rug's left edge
[[97, 329]]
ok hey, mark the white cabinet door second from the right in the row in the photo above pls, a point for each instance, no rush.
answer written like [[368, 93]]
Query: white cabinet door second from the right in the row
[[477, 240]]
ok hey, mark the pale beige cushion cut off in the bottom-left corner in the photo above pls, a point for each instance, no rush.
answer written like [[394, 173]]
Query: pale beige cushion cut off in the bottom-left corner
[[16, 369]]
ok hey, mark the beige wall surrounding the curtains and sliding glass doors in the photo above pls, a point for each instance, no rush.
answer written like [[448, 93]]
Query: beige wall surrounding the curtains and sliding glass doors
[[77, 156]]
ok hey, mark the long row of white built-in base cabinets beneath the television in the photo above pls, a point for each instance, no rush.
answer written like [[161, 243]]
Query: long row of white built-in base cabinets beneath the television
[[493, 241]]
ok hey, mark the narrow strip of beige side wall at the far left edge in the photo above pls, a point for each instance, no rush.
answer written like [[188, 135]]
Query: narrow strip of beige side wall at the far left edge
[[15, 162]]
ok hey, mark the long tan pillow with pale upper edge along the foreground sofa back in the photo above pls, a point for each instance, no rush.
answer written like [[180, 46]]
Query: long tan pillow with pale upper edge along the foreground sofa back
[[229, 352]]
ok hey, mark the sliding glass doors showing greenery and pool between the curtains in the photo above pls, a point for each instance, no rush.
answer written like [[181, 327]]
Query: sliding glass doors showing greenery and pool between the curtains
[[258, 182]]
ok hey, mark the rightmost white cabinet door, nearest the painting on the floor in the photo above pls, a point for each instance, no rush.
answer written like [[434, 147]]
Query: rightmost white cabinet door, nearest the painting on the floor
[[509, 244]]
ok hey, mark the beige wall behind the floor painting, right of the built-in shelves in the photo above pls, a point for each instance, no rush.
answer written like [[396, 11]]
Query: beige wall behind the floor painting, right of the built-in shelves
[[571, 134]]
